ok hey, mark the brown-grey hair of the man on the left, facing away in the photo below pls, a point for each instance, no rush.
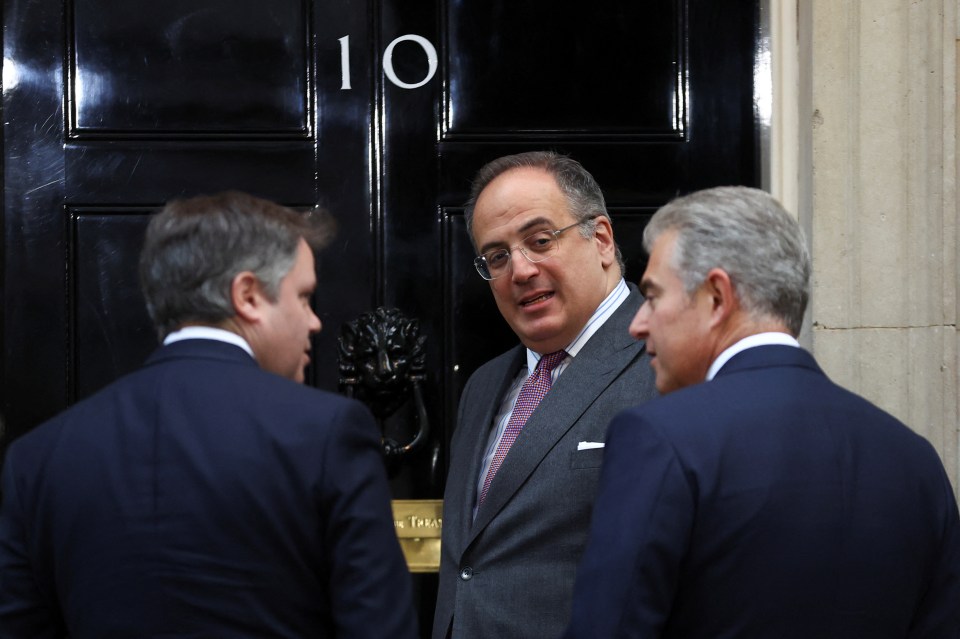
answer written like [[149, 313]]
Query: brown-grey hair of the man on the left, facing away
[[195, 247]]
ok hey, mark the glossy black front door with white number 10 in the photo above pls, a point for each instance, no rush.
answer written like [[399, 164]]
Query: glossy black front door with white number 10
[[379, 111]]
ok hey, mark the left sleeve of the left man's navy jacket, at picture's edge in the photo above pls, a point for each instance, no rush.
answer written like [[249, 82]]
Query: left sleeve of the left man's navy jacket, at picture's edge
[[24, 610]]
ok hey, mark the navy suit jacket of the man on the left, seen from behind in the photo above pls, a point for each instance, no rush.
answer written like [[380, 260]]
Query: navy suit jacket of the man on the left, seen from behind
[[201, 497]]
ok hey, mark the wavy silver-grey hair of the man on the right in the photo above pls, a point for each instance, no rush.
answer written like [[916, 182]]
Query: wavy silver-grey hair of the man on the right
[[748, 234]]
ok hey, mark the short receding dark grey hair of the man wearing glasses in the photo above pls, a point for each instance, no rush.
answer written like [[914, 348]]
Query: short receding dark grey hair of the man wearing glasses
[[584, 197]]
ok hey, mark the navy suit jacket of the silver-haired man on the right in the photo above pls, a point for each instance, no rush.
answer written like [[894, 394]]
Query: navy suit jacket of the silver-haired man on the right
[[769, 502]]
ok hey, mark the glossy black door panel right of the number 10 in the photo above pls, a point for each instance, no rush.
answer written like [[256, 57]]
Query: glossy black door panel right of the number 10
[[616, 70]]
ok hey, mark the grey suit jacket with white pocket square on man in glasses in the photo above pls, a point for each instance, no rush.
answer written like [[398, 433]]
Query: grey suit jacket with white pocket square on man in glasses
[[509, 574]]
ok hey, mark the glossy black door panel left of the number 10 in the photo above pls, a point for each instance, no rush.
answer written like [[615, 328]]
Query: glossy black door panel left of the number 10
[[186, 69]]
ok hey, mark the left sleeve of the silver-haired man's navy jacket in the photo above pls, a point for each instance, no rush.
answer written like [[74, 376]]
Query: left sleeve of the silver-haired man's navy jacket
[[641, 524]]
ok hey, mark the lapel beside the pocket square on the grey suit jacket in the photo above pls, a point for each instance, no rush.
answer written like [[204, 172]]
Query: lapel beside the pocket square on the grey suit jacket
[[599, 363]]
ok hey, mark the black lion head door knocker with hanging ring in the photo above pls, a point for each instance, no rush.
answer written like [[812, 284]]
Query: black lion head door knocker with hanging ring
[[382, 360]]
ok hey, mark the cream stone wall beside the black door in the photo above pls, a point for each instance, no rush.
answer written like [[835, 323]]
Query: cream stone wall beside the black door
[[869, 161]]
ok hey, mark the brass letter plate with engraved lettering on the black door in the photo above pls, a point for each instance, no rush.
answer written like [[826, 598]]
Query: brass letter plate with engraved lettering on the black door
[[418, 523]]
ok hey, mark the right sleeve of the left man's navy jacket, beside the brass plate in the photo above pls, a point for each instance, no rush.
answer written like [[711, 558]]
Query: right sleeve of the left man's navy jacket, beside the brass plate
[[370, 585]]
